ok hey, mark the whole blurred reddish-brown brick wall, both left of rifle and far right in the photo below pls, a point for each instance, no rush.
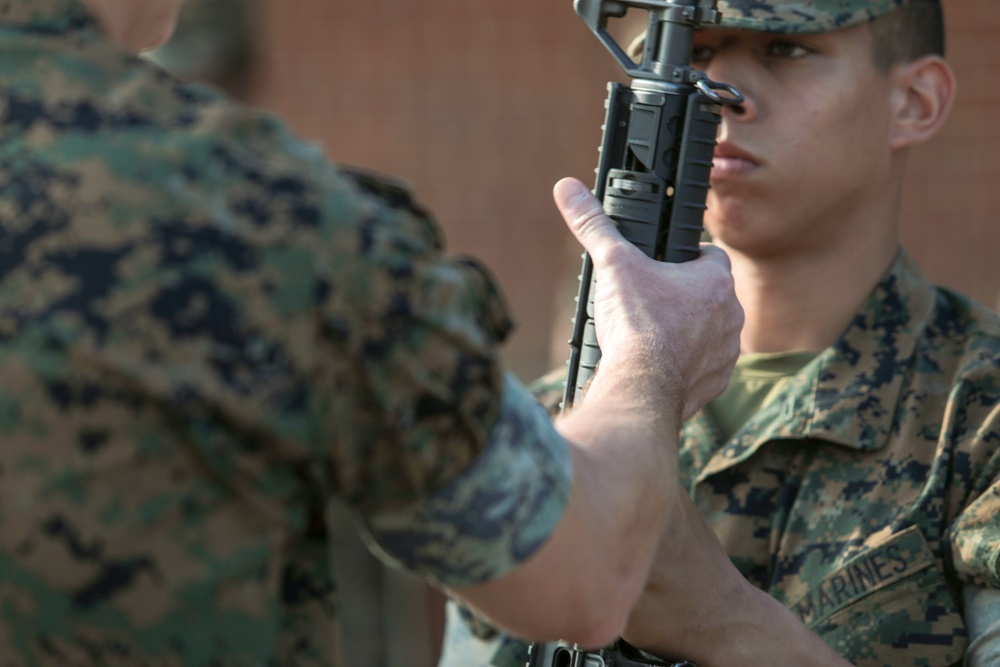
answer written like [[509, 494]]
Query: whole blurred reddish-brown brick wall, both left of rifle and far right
[[482, 106]]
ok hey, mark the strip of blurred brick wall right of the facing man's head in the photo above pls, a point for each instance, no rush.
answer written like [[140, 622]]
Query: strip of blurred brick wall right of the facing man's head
[[951, 216]]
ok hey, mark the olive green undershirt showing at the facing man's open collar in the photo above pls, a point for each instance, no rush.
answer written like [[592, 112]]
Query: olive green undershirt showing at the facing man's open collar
[[756, 379]]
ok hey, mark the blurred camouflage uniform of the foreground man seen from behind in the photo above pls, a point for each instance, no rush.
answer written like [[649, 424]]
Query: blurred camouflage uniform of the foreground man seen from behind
[[207, 333]]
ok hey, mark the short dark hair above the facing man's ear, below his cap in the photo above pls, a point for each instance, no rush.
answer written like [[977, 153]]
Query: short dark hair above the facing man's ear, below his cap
[[914, 30]]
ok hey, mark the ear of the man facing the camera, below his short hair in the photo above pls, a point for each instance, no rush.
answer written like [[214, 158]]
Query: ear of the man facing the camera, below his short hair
[[923, 92]]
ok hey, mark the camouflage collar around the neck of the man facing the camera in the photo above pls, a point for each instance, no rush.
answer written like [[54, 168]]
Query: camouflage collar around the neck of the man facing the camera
[[848, 394]]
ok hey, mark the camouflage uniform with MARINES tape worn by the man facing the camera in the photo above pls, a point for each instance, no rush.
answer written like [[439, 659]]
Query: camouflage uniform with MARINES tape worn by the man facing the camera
[[865, 495]]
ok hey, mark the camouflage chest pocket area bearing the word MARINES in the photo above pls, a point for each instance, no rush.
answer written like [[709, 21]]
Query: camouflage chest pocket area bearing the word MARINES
[[889, 606]]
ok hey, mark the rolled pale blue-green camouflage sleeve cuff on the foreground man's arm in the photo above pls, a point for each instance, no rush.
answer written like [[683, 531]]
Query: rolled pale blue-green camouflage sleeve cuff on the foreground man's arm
[[496, 514]]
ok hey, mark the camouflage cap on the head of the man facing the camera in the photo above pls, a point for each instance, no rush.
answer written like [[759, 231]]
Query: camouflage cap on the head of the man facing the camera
[[801, 16]]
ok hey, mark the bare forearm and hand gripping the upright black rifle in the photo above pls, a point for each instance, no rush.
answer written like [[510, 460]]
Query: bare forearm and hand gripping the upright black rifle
[[669, 338]]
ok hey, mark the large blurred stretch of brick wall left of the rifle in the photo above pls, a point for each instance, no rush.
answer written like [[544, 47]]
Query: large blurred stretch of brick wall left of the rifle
[[481, 106]]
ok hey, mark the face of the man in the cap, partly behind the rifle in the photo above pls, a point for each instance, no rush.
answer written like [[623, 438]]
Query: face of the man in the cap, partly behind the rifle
[[807, 151]]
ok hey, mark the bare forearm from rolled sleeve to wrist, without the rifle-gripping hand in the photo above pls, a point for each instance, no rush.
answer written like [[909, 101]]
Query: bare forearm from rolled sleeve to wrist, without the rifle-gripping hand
[[581, 585]]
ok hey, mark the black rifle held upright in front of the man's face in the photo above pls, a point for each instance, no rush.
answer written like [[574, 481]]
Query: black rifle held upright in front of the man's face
[[653, 177]]
